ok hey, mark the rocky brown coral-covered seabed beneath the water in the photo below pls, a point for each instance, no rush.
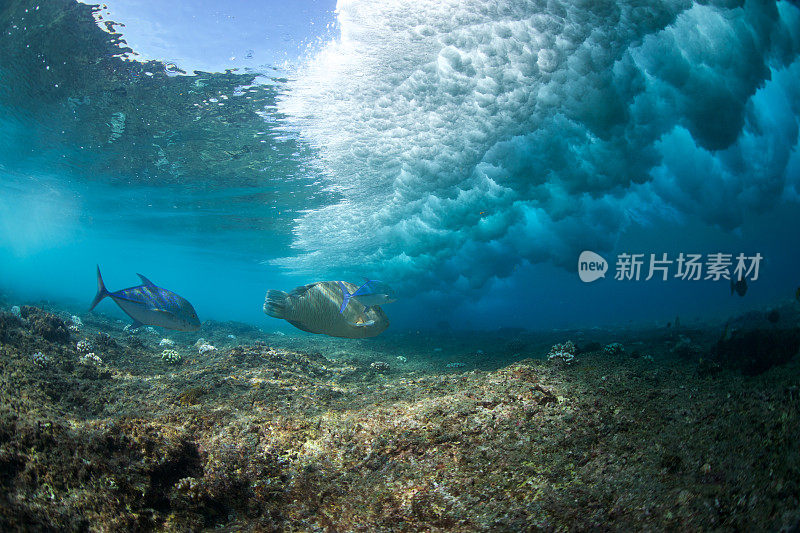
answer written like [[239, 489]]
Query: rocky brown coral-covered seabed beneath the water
[[295, 433]]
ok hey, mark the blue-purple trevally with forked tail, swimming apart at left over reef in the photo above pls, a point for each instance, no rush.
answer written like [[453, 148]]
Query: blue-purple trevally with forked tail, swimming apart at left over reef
[[150, 305]]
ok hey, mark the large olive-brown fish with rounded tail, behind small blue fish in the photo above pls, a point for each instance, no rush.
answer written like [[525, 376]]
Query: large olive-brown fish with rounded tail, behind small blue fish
[[316, 308]]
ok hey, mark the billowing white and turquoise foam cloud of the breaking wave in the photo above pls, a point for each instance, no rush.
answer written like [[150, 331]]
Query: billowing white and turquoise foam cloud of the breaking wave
[[469, 136]]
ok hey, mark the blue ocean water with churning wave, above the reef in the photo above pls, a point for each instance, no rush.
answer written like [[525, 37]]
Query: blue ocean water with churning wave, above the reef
[[464, 152]]
